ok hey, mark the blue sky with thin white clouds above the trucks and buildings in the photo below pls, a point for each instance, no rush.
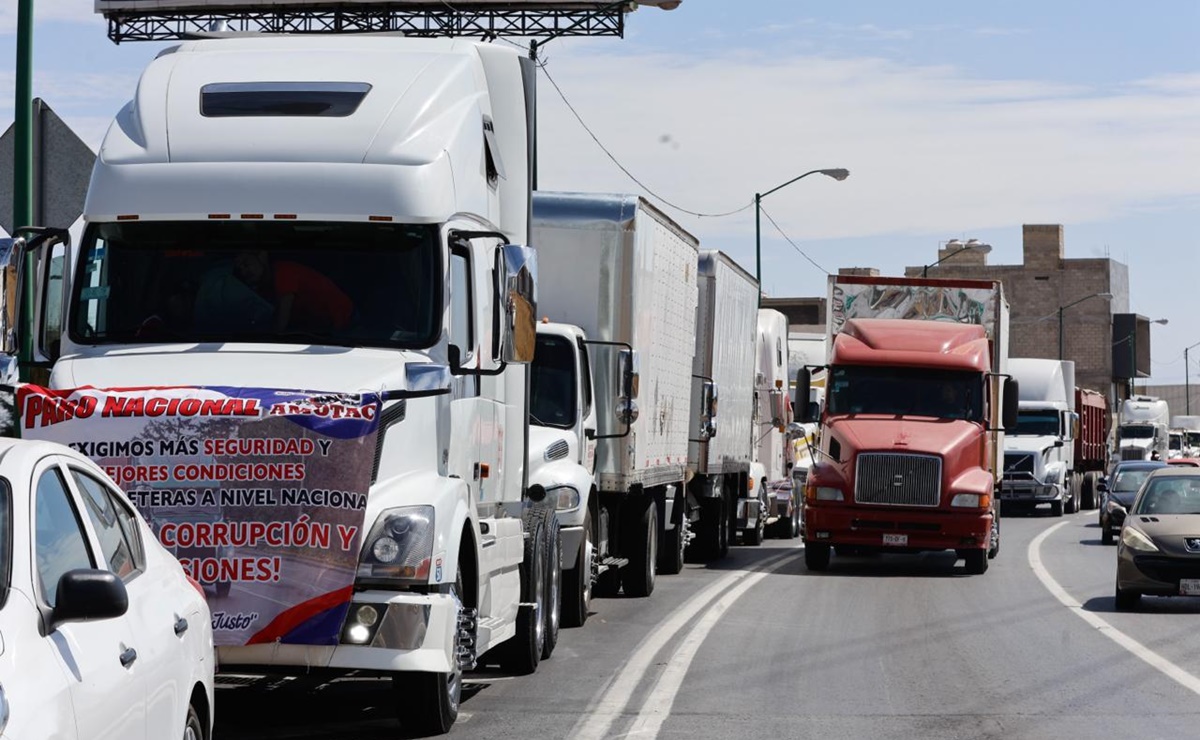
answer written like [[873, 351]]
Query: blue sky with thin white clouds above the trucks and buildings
[[957, 121]]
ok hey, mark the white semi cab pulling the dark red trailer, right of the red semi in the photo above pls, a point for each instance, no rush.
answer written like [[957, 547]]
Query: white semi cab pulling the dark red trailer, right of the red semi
[[1040, 464]]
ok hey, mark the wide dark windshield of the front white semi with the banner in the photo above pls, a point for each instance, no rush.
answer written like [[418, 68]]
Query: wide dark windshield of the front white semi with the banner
[[353, 285]]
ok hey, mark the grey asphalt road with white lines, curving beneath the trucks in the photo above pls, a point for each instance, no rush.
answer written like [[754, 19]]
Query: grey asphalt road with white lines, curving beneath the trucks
[[885, 647]]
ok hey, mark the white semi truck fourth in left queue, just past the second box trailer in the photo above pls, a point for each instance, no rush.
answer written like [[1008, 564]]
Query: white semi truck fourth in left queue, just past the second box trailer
[[770, 472]]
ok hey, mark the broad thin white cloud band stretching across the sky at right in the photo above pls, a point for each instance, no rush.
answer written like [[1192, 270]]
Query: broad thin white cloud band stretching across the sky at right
[[931, 148]]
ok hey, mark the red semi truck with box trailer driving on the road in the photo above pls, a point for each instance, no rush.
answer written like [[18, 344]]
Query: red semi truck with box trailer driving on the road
[[913, 429]]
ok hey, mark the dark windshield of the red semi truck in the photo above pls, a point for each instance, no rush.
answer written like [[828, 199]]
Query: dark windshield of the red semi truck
[[905, 392]]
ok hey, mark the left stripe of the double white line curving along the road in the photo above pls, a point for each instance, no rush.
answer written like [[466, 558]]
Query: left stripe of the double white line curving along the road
[[613, 703]]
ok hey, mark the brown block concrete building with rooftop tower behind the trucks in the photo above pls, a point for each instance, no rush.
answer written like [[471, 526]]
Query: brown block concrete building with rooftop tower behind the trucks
[[1036, 290]]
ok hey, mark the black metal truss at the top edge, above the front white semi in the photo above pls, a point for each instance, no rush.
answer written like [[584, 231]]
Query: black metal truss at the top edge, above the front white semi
[[488, 21]]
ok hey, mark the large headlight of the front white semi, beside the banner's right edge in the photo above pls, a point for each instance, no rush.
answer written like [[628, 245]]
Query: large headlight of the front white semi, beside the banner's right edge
[[400, 545]]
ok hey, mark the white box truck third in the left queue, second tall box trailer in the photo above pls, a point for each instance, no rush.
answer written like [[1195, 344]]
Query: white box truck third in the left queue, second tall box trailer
[[721, 450]]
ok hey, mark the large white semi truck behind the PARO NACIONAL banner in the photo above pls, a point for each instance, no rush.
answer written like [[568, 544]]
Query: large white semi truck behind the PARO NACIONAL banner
[[398, 172]]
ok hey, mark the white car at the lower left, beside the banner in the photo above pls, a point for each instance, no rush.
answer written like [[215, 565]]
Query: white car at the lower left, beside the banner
[[101, 633]]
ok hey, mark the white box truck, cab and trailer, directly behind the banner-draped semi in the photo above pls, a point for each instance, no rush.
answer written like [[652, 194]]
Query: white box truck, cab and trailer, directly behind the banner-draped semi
[[619, 281]]
